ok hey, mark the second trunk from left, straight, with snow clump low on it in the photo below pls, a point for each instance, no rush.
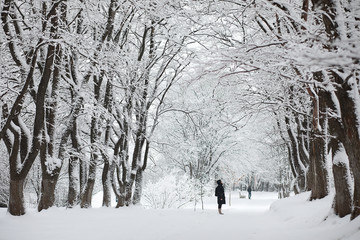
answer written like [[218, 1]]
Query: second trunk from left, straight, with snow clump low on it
[[51, 168]]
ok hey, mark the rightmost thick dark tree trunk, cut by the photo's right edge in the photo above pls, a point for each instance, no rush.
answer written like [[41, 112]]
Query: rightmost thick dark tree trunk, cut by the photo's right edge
[[347, 93]]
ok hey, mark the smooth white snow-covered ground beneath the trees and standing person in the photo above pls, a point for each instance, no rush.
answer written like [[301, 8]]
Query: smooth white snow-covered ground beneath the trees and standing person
[[263, 217]]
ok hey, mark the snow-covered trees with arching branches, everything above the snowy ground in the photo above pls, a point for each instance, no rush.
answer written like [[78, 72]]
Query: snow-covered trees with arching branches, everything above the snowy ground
[[151, 101]]
